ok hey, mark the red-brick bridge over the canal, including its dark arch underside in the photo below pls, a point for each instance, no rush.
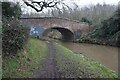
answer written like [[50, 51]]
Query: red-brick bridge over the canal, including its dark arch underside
[[70, 29]]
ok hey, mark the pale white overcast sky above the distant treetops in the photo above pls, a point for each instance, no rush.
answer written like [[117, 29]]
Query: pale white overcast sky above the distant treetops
[[82, 3]]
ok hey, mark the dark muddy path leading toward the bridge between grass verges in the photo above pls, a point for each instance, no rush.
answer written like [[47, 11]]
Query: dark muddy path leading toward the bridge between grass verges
[[49, 68]]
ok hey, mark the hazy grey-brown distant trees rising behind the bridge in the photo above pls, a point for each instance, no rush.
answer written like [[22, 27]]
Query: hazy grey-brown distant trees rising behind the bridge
[[94, 13]]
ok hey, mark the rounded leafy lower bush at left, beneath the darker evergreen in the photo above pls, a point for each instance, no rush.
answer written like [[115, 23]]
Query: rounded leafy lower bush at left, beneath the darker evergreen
[[14, 36]]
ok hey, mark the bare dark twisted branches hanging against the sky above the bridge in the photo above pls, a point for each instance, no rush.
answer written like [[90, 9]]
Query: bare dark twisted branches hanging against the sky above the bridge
[[40, 5]]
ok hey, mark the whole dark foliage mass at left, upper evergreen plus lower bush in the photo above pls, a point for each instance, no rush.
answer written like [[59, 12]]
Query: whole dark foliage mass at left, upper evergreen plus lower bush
[[14, 34]]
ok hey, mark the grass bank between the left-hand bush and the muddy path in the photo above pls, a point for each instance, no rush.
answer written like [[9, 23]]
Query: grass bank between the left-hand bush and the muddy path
[[26, 61]]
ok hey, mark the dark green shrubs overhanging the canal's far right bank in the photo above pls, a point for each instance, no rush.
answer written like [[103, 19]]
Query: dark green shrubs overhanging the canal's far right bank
[[109, 30]]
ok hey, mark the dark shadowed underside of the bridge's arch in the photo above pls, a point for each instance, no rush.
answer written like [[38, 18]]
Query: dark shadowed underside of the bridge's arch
[[67, 35]]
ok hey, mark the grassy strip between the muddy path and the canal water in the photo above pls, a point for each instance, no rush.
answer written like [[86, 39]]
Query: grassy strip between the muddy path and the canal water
[[79, 65]]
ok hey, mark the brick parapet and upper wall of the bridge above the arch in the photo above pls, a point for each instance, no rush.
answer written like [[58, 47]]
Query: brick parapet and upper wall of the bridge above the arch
[[49, 22]]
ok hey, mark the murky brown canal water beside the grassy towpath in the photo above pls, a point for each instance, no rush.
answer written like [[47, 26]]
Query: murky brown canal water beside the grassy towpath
[[106, 55]]
